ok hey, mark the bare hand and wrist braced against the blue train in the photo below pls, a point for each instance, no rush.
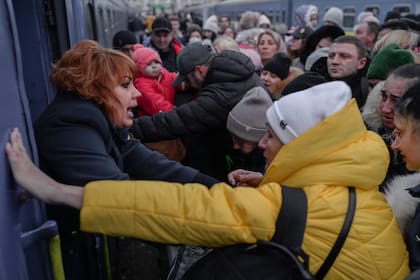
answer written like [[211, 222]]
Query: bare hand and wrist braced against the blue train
[[32, 179]]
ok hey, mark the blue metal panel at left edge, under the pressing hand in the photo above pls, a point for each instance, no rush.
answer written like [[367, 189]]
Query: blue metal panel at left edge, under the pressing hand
[[16, 216]]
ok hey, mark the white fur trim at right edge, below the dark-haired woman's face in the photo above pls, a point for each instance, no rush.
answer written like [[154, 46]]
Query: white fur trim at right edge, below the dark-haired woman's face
[[402, 203]]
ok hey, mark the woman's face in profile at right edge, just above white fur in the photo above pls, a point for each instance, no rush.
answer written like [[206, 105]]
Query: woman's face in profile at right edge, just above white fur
[[406, 140]]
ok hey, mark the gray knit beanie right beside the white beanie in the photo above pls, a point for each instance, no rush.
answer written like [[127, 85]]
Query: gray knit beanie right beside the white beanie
[[247, 119]]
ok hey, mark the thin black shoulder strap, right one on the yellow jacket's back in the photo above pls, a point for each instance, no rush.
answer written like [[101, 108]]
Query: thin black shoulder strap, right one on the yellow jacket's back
[[323, 270]]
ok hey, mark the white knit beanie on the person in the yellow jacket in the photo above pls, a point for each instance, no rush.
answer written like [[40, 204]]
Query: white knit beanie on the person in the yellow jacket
[[294, 114]]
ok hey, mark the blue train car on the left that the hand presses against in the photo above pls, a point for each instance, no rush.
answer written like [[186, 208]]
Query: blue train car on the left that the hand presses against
[[33, 35]]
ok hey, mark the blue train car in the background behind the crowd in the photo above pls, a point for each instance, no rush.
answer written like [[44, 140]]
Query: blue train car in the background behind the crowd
[[283, 11]]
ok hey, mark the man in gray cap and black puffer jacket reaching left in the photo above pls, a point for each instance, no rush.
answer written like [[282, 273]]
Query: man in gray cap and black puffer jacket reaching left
[[221, 81]]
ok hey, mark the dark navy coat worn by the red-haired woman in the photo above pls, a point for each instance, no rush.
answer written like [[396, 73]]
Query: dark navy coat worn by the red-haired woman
[[77, 143]]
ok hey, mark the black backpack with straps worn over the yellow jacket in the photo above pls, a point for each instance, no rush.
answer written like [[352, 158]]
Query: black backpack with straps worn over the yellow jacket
[[282, 257]]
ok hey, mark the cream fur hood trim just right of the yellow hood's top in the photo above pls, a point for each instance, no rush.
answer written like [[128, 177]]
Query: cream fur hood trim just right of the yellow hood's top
[[372, 115]]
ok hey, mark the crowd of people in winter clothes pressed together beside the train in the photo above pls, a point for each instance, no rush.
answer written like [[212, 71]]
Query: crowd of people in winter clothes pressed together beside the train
[[186, 138]]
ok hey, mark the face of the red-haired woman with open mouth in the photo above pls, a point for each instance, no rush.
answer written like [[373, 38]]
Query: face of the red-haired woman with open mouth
[[127, 96]]
